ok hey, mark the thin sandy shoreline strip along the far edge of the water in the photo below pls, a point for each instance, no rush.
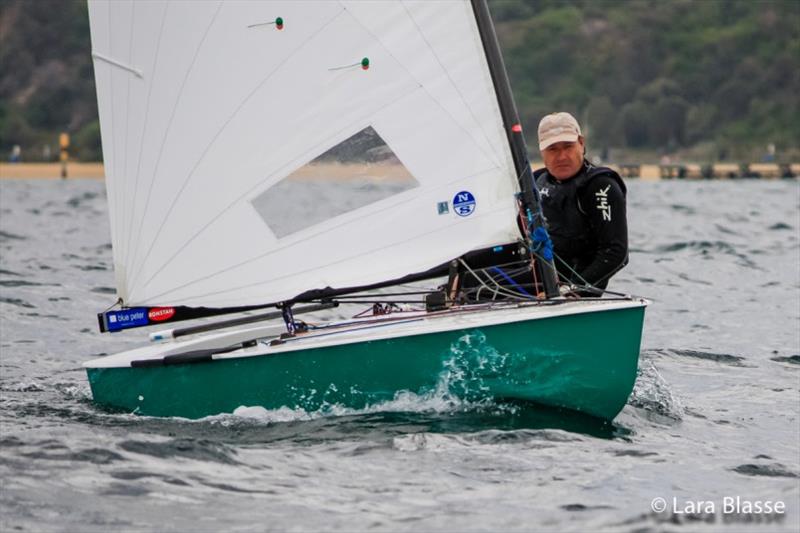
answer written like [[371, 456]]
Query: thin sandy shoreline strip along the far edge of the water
[[645, 172]]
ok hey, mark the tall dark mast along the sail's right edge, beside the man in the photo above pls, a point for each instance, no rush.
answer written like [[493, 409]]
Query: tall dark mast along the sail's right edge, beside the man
[[530, 195]]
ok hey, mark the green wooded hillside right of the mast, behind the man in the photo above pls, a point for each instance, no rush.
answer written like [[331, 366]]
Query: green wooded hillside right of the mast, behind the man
[[660, 75]]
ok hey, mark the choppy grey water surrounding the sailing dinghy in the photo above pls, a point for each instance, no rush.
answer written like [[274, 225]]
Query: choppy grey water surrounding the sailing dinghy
[[715, 412]]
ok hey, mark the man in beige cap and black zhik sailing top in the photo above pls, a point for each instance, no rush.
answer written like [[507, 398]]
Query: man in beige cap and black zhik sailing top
[[584, 205]]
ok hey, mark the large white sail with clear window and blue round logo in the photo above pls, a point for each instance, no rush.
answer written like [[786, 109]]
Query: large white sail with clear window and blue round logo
[[219, 125]]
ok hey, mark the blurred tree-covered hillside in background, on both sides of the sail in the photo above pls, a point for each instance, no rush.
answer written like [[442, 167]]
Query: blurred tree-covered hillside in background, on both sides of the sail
[[655, 76]]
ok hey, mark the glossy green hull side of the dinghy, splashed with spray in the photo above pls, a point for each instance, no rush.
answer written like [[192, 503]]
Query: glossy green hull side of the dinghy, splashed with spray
[[585, 362]]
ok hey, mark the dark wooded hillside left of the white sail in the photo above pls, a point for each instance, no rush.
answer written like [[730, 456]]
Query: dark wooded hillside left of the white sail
[[46, 78]]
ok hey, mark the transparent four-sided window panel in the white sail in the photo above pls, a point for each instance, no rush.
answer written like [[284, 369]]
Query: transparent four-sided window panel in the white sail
[[356, 172]]
